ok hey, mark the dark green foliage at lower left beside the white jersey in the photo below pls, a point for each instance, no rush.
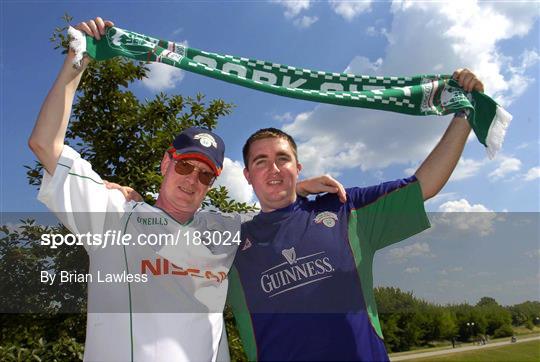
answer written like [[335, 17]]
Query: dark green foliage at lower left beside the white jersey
[[42, 333]]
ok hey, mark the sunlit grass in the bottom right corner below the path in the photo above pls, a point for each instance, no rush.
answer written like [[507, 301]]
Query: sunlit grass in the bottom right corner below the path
[[520, 352]]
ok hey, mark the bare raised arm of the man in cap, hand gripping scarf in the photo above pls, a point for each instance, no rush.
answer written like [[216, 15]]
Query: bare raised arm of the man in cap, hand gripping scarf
[[47, 139]]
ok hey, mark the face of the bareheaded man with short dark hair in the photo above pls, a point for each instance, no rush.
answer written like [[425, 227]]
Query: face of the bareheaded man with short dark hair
[[272, 170]]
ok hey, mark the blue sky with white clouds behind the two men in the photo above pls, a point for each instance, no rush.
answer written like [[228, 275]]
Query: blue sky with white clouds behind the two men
[[499, 41]]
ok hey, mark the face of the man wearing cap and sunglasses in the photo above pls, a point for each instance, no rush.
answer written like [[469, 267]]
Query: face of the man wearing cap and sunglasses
[[184, 192]]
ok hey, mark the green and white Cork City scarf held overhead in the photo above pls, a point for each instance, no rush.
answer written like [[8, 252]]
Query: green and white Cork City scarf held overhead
[[416, 95]]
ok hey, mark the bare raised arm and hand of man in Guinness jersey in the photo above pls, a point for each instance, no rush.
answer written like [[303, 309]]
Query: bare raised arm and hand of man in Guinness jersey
[[441, 162]]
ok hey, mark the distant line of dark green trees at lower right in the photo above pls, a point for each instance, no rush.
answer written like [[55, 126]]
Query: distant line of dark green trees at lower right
[[408, 321]]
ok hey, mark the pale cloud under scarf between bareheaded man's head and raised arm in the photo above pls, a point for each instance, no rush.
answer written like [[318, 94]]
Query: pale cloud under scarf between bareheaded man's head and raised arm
[[363, 139]]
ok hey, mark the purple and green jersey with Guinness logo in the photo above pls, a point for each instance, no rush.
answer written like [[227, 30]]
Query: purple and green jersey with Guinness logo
[[302, 286]]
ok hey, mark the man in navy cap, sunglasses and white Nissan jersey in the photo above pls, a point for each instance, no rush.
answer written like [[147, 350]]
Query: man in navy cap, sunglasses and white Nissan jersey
[[140, 306]]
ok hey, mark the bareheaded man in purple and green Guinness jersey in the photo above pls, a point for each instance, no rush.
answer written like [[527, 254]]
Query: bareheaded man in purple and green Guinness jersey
[[301, 285]]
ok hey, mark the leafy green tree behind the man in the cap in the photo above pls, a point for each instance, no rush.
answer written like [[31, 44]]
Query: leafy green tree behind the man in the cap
[[124, 139]]
